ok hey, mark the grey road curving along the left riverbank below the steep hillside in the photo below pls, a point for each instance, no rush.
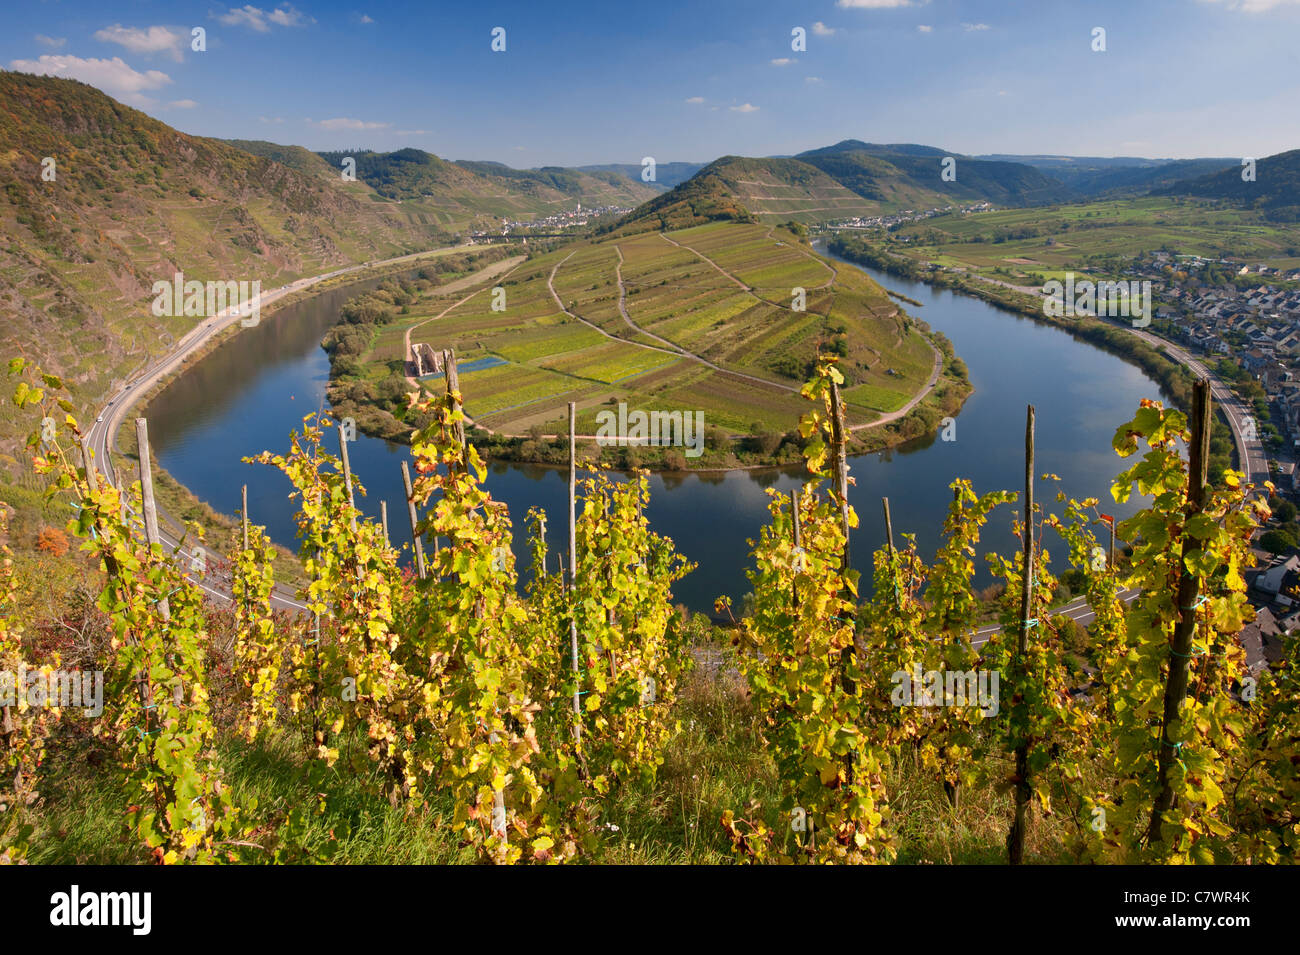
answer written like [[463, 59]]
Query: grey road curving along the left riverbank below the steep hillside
[[99, 439]]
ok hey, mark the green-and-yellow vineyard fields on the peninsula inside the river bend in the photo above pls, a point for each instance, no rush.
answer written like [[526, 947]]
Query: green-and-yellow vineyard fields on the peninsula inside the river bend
[[701, 319]]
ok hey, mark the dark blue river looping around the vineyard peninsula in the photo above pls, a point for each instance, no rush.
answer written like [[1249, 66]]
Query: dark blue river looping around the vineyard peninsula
[[248, 397]]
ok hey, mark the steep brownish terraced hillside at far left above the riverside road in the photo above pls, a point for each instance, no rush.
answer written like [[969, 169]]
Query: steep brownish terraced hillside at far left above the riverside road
[[133, 202]]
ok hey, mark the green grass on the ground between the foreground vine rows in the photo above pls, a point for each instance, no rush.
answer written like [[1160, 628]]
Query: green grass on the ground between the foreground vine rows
[[717, 762]]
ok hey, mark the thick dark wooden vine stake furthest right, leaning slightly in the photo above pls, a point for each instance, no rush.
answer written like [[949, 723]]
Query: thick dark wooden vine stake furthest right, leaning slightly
[[1189, 596]]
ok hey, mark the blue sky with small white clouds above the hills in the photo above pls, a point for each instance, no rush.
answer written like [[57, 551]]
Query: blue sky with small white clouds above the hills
[[603, 83]]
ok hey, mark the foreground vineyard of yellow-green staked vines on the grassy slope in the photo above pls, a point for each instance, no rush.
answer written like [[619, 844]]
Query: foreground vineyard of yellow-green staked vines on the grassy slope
[[543, 717]]
